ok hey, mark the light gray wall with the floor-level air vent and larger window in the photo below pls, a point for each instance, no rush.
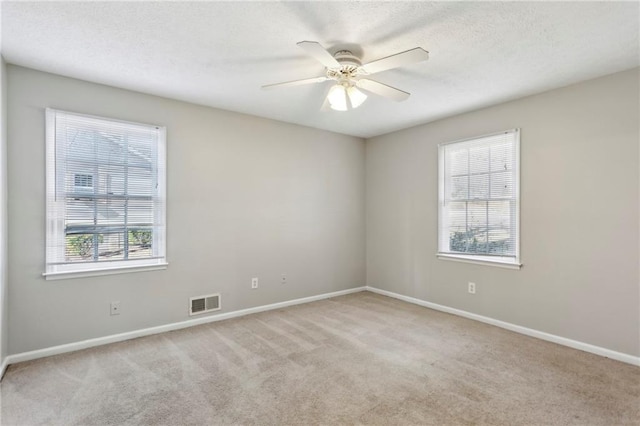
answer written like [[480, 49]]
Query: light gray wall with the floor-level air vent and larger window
[[246, 197]]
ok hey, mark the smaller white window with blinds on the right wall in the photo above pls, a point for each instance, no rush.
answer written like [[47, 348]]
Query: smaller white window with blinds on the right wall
[[479, 199]]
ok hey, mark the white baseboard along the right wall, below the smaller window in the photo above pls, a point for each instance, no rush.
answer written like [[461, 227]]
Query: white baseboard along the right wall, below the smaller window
[[597, 350]]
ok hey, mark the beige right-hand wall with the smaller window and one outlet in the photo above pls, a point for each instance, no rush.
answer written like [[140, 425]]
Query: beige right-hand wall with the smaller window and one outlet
[[579, 215]]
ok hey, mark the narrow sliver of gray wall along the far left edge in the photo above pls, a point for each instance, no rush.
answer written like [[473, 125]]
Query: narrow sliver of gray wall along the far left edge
[[4, 300]]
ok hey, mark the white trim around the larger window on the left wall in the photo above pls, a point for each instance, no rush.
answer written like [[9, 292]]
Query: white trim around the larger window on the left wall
[[89, 269]]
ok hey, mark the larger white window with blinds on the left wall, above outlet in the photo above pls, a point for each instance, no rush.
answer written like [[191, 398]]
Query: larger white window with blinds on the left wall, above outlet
[[105, 195]]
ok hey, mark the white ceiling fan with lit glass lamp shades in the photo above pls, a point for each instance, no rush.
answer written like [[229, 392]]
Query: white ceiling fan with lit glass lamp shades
[[347, 71]]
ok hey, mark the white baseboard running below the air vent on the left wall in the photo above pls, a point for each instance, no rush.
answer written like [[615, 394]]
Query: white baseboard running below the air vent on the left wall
[[84, 344]]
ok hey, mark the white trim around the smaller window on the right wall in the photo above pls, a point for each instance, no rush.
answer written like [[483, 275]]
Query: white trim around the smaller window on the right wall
[[497, 261]]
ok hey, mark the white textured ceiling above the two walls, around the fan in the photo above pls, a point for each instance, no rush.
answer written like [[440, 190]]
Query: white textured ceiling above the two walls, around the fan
[[220, 53]]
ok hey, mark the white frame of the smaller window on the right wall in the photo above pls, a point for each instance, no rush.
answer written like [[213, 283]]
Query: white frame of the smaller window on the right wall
[[480, 258]]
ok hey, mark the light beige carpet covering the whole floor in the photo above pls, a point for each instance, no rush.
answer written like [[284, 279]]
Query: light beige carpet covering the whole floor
[[356, 359]]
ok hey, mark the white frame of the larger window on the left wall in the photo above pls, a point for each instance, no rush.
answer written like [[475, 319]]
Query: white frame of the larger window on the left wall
[[55, 210]]
